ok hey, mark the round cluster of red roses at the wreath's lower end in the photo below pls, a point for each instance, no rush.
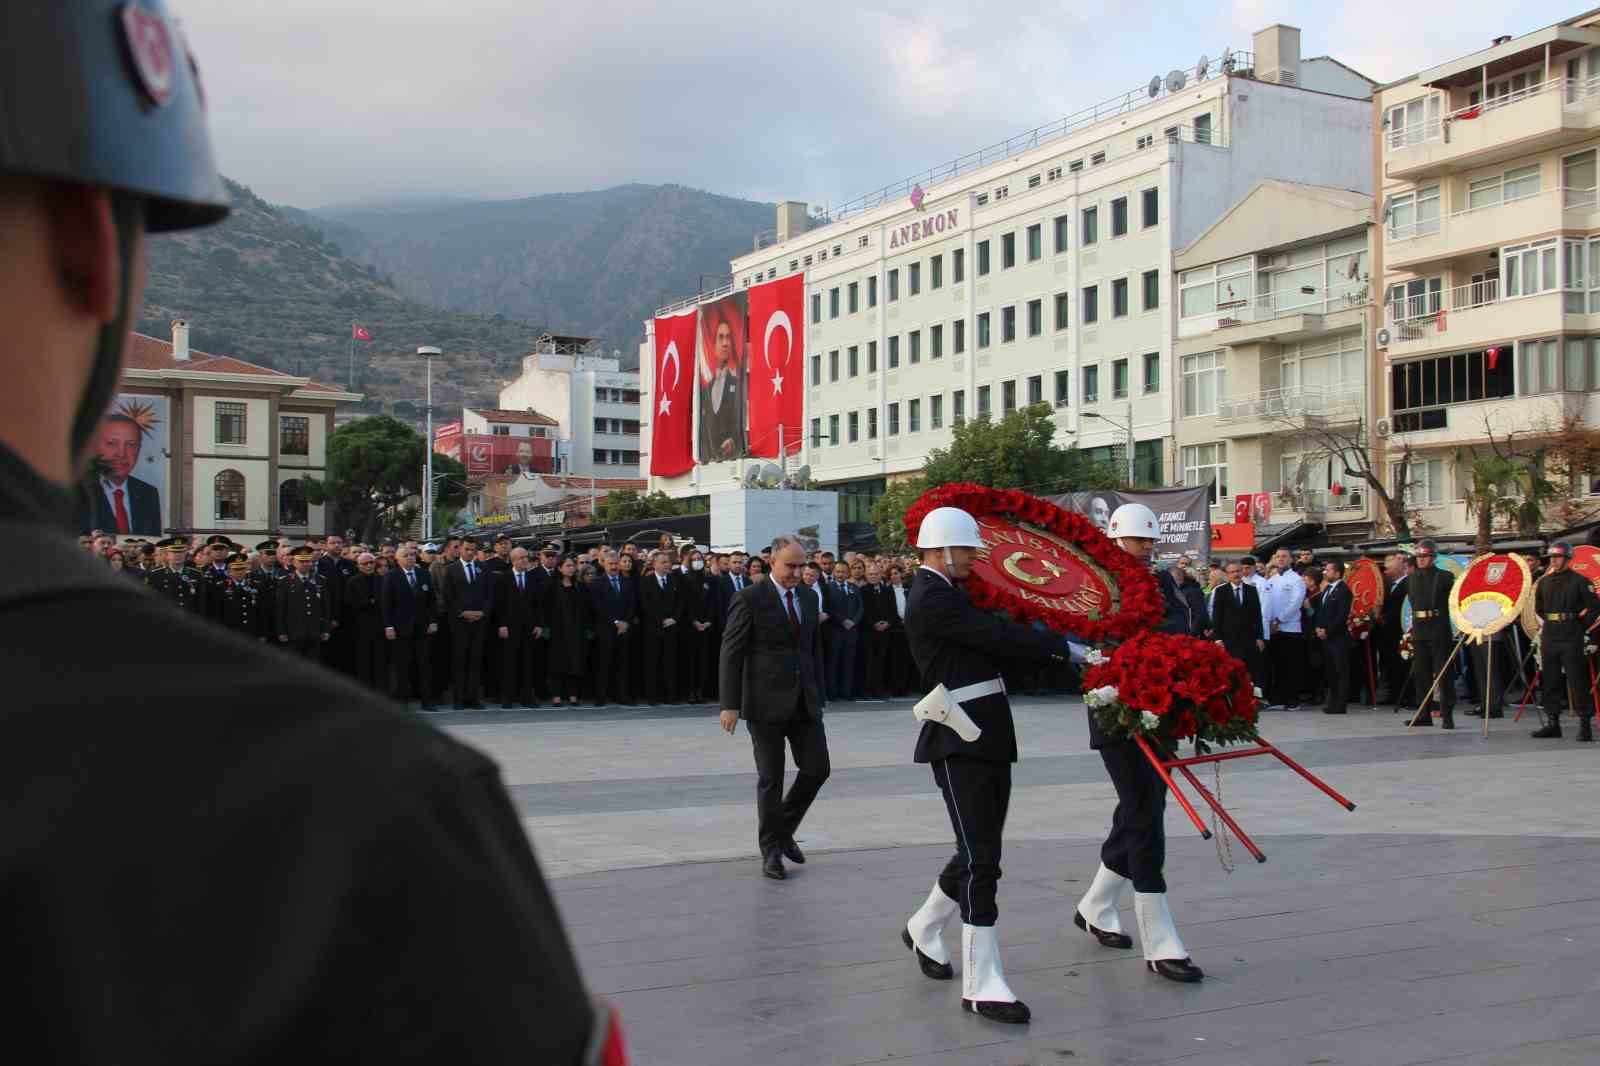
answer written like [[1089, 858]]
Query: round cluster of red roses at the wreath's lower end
[[1191, 686]]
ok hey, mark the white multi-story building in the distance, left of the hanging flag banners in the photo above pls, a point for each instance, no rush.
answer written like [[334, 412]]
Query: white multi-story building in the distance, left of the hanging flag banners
[[591, 398]]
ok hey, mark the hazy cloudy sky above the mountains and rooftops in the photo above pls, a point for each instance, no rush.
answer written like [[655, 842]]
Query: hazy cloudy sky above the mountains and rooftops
[[327, 102]]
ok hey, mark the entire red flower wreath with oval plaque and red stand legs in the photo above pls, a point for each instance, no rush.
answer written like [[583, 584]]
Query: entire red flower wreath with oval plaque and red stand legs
[[1044, 564]]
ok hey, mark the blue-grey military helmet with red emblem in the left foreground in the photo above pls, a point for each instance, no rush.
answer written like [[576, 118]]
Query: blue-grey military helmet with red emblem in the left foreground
[[106, 94]]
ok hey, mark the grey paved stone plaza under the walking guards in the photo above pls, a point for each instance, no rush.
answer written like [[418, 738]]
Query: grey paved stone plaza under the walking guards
[[1454, 918]]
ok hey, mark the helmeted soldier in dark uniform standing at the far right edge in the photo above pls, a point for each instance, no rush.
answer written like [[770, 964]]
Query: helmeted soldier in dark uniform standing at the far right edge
[[1567, 606]]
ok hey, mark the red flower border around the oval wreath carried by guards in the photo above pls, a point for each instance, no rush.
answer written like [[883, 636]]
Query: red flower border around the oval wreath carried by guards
[[1142, 606]]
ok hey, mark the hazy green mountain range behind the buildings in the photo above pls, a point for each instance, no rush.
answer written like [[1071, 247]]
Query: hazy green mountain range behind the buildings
[[282, 286]]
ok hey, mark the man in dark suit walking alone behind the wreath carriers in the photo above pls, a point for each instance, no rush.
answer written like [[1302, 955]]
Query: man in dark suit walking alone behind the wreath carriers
[[772, 678]]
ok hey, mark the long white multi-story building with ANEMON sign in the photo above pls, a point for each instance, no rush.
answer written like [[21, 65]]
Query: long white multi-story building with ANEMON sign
[[1039, 271]]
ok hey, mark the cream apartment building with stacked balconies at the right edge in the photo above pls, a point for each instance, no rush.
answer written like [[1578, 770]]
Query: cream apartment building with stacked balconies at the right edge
[[1490, 257]]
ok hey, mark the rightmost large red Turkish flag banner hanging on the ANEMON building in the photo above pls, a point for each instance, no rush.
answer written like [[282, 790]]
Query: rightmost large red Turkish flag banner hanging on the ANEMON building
[[777, 366]]
